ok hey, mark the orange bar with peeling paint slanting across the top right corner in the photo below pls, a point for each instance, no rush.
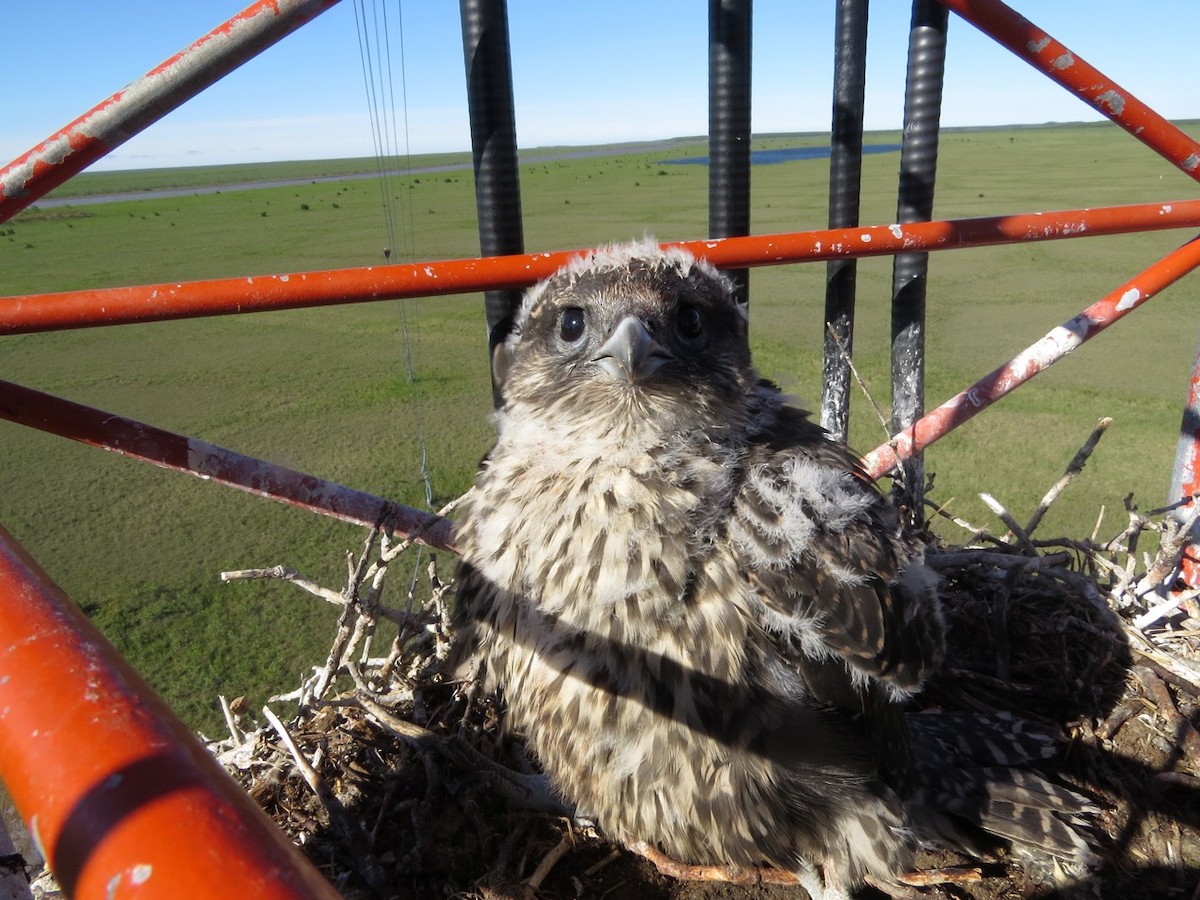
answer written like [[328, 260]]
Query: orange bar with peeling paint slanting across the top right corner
[[1067, 69]]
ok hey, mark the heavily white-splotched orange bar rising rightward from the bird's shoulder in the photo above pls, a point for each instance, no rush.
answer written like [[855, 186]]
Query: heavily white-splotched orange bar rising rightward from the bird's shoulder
[[1052, 349]]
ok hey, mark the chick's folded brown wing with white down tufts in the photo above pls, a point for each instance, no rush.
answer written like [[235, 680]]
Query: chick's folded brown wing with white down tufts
[[825, 551]]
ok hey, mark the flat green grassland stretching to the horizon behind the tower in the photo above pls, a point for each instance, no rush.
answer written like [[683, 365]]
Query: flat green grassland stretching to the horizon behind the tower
[[326, 391]]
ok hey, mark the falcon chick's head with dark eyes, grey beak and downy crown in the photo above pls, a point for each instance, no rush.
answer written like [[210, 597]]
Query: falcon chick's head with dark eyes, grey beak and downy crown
[[632, 332]]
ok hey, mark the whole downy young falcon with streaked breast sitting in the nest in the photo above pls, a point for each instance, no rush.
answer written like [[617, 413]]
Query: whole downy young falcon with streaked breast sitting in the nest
[[704, 619]]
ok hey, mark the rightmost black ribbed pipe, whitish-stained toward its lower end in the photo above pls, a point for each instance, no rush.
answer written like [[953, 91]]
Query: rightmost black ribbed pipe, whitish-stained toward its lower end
[[919, 171]]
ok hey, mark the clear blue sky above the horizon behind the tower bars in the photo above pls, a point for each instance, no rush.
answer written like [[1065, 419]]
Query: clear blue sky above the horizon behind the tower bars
[[584, 74]]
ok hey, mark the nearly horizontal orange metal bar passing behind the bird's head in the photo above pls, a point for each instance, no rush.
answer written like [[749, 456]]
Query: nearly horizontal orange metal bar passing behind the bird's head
[[112, 307]]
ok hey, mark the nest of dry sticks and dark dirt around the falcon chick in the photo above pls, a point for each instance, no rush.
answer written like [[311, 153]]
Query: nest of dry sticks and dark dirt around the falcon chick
[[398, 782]]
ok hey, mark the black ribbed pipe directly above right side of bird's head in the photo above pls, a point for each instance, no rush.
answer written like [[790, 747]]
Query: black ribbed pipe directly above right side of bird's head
[[729, 125]]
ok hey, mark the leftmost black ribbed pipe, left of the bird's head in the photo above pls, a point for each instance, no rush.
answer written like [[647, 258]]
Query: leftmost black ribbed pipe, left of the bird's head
[[494, 145]]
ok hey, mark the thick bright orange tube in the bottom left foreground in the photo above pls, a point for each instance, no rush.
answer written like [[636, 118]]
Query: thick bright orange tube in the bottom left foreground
[[122, 799]]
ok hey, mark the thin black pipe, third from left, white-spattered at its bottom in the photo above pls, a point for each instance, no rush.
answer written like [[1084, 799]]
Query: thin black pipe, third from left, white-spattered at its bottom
[[845, 190]]
